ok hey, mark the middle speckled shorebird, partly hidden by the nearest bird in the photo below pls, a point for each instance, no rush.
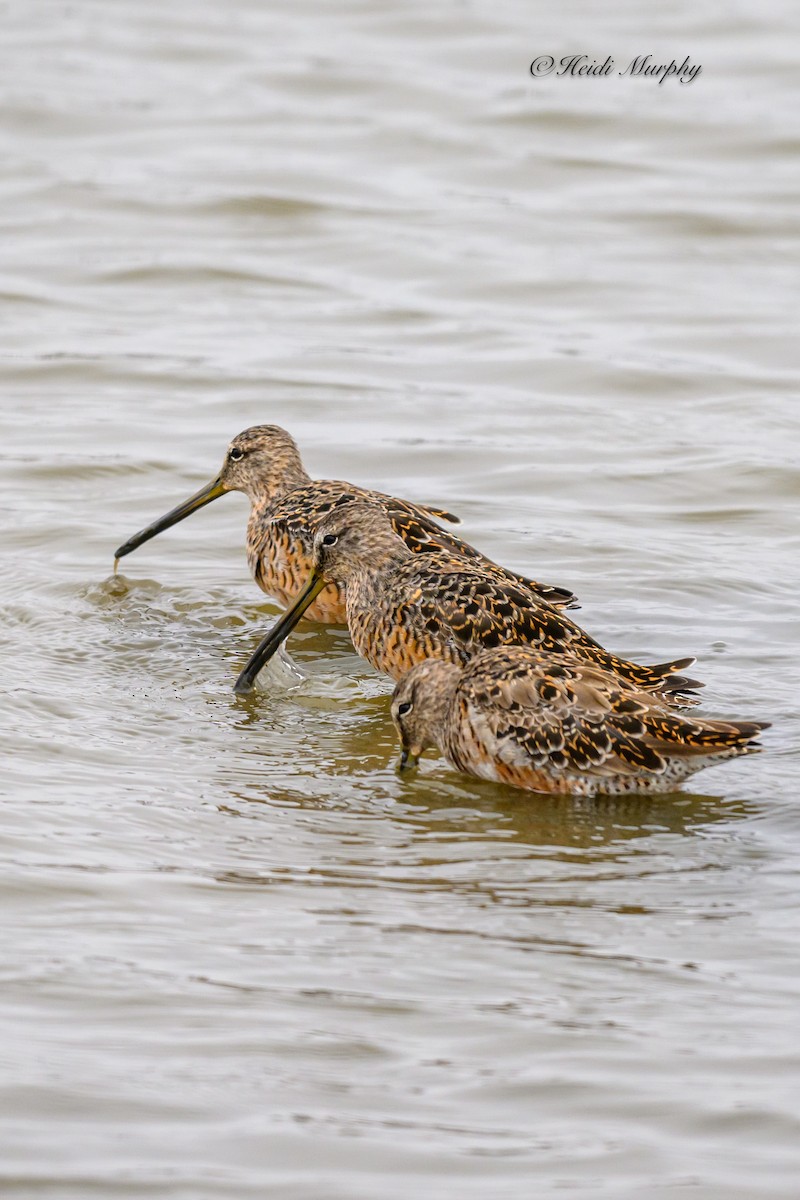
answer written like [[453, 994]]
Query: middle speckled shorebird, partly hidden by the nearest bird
[[405, 608]]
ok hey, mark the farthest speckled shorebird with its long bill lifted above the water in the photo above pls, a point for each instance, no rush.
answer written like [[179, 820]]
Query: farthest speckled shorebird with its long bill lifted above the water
[[287, 506]]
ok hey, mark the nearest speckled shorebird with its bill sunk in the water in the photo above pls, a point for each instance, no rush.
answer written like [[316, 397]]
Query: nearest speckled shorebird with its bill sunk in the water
[[555, 724]]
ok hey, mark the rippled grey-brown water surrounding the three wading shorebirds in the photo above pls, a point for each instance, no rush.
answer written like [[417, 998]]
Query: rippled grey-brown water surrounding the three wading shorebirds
[[242, 958]]
